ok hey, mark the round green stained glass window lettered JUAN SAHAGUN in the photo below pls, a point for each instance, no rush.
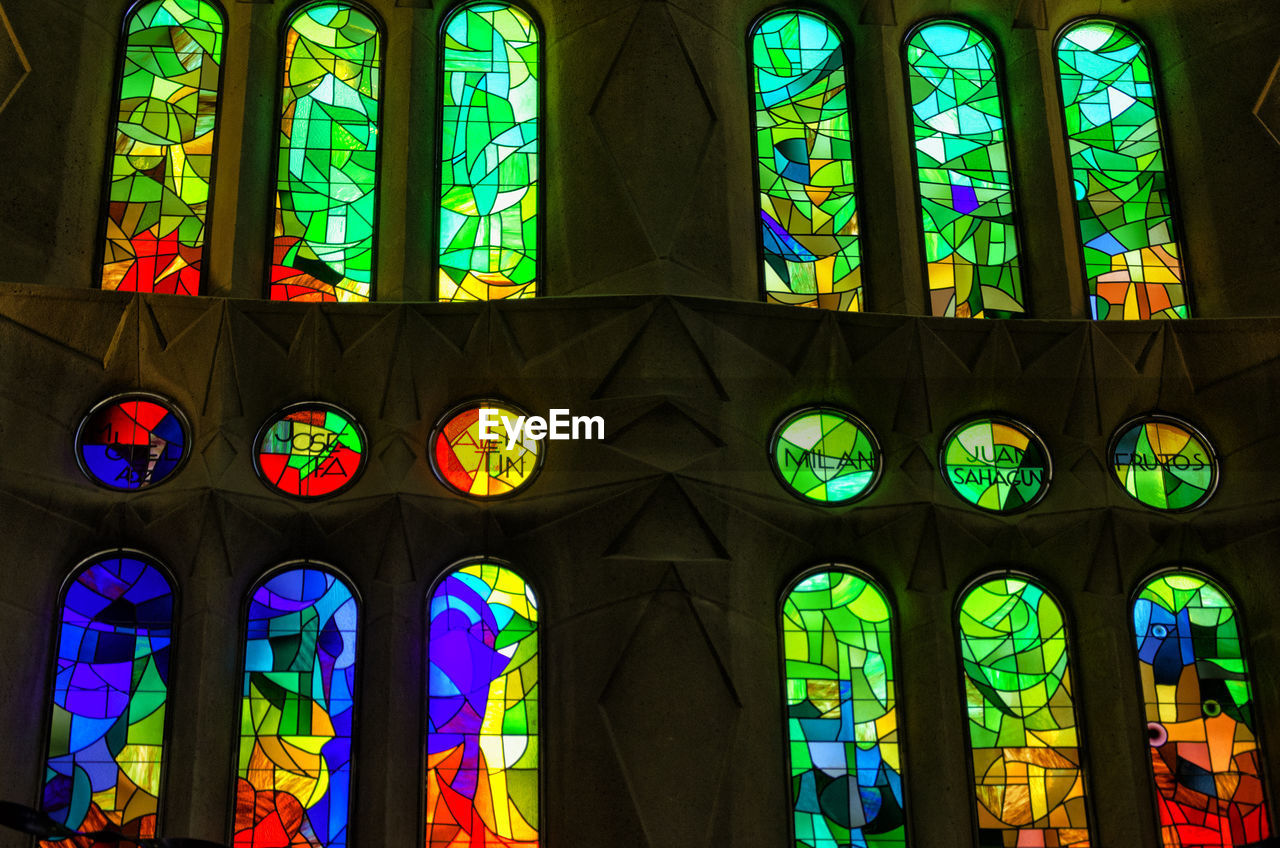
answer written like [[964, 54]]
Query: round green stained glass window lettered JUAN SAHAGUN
[[996, 464]]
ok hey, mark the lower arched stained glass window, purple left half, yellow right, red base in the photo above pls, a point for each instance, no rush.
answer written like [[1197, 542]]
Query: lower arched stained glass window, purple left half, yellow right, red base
[[482, 696]]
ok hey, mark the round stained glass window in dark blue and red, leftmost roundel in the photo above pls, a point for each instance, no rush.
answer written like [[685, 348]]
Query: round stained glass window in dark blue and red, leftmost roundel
[[132, 441]]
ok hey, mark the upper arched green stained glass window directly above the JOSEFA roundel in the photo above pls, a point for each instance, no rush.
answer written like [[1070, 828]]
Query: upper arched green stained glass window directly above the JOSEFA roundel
[[327, 179]]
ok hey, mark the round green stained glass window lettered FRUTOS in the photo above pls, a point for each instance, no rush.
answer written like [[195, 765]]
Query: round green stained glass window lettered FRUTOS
[[1164, 463]]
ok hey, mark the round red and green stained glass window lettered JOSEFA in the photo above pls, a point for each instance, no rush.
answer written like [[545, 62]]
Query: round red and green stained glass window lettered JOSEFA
[[310, 450]]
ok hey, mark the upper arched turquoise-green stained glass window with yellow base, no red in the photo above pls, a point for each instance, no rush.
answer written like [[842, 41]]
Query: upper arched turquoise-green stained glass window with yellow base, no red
[[490, 167]]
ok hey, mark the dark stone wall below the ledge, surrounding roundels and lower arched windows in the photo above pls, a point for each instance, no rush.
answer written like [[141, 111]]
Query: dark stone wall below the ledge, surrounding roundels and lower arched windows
[[660, 554]]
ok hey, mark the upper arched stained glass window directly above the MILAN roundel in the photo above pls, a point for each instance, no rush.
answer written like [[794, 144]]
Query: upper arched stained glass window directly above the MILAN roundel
[[806, 163]]
